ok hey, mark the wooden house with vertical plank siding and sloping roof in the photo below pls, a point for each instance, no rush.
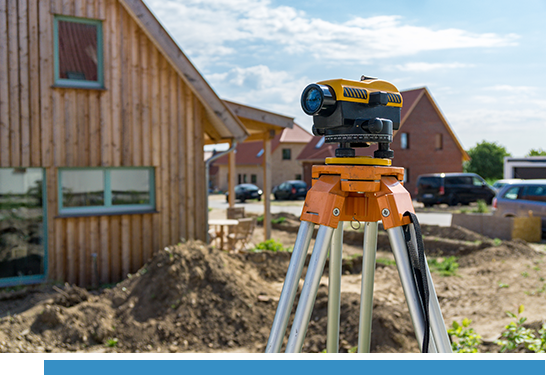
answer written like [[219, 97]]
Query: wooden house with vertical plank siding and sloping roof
[[103, 120]]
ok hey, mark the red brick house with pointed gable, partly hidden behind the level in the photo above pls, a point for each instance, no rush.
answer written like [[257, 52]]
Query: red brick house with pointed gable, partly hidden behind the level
[[425, 143]]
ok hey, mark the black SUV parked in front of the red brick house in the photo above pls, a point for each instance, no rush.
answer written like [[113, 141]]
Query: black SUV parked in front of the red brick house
[[452, 188]]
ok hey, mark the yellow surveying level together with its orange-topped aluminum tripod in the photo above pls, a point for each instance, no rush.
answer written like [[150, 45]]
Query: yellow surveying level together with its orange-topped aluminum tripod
[[362, 189]]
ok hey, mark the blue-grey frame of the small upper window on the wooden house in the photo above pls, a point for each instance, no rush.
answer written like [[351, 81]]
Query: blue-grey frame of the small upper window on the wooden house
[[74, 83]]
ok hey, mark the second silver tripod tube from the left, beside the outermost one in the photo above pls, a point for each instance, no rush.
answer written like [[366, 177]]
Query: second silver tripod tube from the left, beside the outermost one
[[309, 290]]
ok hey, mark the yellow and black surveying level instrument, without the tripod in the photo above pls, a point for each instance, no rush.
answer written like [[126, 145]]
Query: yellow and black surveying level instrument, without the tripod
[[354, 113]]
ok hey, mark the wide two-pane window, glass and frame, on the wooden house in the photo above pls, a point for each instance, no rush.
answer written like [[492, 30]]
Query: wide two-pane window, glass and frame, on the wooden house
[[98, 191]]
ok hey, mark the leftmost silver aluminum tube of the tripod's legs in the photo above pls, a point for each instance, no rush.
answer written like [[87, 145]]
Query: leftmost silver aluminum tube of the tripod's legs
[[290, 288]]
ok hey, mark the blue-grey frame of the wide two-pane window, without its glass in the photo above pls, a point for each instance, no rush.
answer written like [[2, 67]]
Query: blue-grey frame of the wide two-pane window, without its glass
[[108, 208]]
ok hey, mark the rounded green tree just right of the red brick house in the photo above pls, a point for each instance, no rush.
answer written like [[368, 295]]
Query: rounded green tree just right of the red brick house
[[487, 160]]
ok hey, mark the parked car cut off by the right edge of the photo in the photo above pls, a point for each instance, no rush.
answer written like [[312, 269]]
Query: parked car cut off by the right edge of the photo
[[521, 198]]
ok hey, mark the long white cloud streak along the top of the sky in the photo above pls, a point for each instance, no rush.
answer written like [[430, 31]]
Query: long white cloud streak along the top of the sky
[[210, 29]]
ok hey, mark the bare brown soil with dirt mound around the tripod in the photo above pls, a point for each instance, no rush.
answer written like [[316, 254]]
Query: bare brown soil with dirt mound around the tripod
[[192, 298]]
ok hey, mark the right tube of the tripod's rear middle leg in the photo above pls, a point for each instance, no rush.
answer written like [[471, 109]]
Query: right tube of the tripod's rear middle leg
[[366, 294]]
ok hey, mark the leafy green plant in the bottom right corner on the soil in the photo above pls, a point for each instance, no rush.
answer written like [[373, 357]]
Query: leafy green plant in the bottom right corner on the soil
[[517, 336]]
